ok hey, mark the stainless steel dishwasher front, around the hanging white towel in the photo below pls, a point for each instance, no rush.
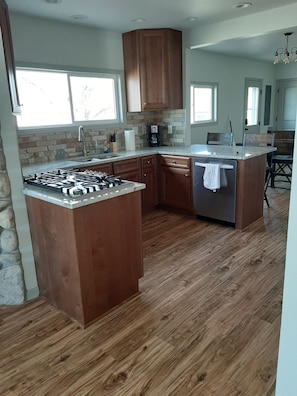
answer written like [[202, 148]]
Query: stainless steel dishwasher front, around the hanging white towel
[[219, 204]]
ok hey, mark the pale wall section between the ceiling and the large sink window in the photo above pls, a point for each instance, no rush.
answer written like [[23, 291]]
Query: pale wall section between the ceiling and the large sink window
[[47, 42]]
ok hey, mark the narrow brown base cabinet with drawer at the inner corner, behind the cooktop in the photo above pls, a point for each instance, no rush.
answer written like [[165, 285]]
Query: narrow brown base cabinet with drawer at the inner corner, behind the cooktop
[[149, 177]]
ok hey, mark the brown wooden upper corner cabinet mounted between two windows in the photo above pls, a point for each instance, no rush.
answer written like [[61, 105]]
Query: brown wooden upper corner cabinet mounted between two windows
[[153, 69]]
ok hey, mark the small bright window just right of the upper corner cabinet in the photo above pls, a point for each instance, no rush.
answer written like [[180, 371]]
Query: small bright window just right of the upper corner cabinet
[[203, 103]]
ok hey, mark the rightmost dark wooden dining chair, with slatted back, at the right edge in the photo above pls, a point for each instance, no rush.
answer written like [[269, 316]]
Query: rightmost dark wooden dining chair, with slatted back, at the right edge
[[282, 159]]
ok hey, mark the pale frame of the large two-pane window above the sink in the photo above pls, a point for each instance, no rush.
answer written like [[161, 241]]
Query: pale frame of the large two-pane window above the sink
[[118, 77]]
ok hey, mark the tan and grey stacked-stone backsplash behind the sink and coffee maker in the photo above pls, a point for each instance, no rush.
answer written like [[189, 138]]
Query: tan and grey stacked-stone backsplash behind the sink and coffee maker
[[43, 147]]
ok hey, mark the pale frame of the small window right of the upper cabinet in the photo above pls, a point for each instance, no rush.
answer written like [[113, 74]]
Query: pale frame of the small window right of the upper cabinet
[[214, 99]]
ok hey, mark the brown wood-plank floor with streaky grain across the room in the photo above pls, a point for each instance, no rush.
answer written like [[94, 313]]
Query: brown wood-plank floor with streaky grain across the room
[[205, 323]]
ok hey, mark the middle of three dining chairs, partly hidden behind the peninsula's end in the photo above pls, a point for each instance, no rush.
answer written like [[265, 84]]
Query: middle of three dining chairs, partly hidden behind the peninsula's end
[[262, 140]]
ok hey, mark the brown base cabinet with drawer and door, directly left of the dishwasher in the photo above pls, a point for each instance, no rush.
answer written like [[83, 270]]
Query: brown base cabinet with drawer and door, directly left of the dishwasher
[[175, 182]]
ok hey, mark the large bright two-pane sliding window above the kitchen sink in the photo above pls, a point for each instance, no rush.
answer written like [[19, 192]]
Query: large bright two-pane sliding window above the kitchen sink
[[62, 98]]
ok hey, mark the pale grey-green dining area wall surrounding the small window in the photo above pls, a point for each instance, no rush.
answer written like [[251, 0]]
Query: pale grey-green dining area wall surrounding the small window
[[230, 74]]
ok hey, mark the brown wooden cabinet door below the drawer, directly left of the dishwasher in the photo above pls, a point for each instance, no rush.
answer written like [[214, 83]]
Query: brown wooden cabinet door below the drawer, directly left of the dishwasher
[[175, 187]]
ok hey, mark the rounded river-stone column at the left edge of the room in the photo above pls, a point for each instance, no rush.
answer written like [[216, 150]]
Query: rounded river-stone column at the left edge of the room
[[12, 289]]
